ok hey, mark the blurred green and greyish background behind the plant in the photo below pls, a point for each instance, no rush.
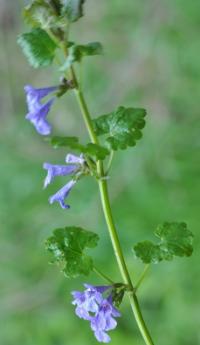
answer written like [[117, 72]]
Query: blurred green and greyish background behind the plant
[[151, 59]]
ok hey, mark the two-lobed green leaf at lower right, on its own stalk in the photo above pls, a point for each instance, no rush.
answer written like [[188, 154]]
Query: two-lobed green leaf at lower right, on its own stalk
[[175, 240]]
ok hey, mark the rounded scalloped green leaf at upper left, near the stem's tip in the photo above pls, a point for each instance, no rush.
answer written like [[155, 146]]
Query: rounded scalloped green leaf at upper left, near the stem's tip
[[38, 47]]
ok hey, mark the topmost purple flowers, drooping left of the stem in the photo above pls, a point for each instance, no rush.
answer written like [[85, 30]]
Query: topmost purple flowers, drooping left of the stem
[[37, 111]]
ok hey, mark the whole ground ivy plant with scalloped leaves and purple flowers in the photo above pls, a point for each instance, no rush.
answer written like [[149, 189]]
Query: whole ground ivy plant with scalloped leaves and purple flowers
[[48, 43]]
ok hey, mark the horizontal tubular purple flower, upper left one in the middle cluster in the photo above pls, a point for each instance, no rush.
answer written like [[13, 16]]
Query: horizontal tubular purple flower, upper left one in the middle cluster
[[57, 170]]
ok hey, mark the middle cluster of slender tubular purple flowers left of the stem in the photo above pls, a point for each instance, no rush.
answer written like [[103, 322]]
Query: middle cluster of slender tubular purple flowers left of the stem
[[74, 167]]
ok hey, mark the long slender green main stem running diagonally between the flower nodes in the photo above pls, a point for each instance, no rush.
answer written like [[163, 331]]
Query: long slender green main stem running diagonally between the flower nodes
[[111, 226]]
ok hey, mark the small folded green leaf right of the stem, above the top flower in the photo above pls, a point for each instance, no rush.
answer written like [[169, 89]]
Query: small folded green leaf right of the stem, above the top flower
[[77, 52]]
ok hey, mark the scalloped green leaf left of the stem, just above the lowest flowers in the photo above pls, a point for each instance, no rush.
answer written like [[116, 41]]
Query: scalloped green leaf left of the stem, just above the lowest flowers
[[68, 247]]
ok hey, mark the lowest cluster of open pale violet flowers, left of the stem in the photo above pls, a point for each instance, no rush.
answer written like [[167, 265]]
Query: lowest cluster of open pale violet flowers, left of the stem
[[91, 305]]
